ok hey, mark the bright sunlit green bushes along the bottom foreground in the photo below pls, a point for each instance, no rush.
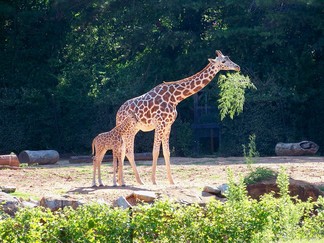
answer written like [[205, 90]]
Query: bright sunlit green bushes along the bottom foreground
[[240, 219]]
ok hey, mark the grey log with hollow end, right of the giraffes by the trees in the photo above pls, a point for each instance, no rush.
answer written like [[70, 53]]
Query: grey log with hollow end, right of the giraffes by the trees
[[296, 149]]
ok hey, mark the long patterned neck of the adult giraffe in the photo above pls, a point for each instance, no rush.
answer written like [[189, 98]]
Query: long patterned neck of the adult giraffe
[[186, 87]]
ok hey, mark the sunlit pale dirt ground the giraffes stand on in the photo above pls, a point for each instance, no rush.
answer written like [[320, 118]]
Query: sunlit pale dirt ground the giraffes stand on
[[190, 176]]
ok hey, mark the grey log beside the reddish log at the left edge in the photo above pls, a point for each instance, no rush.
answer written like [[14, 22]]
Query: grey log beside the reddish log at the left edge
[[41, 157]]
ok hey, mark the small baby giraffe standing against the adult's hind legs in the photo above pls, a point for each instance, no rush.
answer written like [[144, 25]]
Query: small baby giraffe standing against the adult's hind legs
[[112, 140]]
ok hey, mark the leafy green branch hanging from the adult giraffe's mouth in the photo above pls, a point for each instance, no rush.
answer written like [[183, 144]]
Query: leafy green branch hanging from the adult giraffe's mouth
[[232, 93]]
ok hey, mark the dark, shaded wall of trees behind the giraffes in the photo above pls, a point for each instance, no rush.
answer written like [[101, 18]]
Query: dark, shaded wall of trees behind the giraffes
[[67, 66]]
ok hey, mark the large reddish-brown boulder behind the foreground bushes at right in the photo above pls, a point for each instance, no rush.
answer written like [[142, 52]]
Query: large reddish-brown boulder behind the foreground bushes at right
[[302, 189]]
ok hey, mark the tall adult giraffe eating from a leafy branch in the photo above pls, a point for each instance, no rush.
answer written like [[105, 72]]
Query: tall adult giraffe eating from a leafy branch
[[156, 109]]
